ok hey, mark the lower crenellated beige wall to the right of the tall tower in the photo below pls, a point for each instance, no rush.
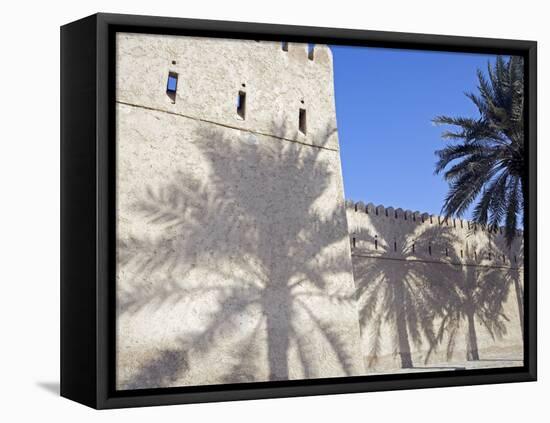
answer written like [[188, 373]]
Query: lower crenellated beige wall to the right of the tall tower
[[407, 265]]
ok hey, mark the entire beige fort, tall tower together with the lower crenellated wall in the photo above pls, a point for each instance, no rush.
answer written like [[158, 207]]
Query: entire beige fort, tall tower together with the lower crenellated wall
[[239, 259]]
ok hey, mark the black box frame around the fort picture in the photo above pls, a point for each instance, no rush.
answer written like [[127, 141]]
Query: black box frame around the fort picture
[[88, 215]]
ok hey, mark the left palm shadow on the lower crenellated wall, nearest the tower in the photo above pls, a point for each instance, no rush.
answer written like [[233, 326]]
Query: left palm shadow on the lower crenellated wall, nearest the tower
[[397, 292]]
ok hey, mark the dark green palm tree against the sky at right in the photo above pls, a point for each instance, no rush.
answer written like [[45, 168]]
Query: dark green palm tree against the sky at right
[[486, 159]]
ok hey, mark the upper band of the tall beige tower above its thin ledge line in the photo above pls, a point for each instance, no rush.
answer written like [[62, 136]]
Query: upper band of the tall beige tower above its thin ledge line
[[211, 72]]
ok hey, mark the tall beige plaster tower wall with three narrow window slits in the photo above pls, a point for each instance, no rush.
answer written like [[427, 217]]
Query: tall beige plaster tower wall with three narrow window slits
[[234, 260]]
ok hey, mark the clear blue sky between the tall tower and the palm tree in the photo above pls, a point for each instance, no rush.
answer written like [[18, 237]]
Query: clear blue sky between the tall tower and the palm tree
[[385, 101]]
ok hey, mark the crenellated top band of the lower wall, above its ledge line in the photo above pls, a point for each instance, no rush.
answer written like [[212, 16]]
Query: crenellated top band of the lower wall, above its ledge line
[[391, 232]]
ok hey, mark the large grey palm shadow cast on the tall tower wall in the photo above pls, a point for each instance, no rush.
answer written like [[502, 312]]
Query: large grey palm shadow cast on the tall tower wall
[[259, 212]]
